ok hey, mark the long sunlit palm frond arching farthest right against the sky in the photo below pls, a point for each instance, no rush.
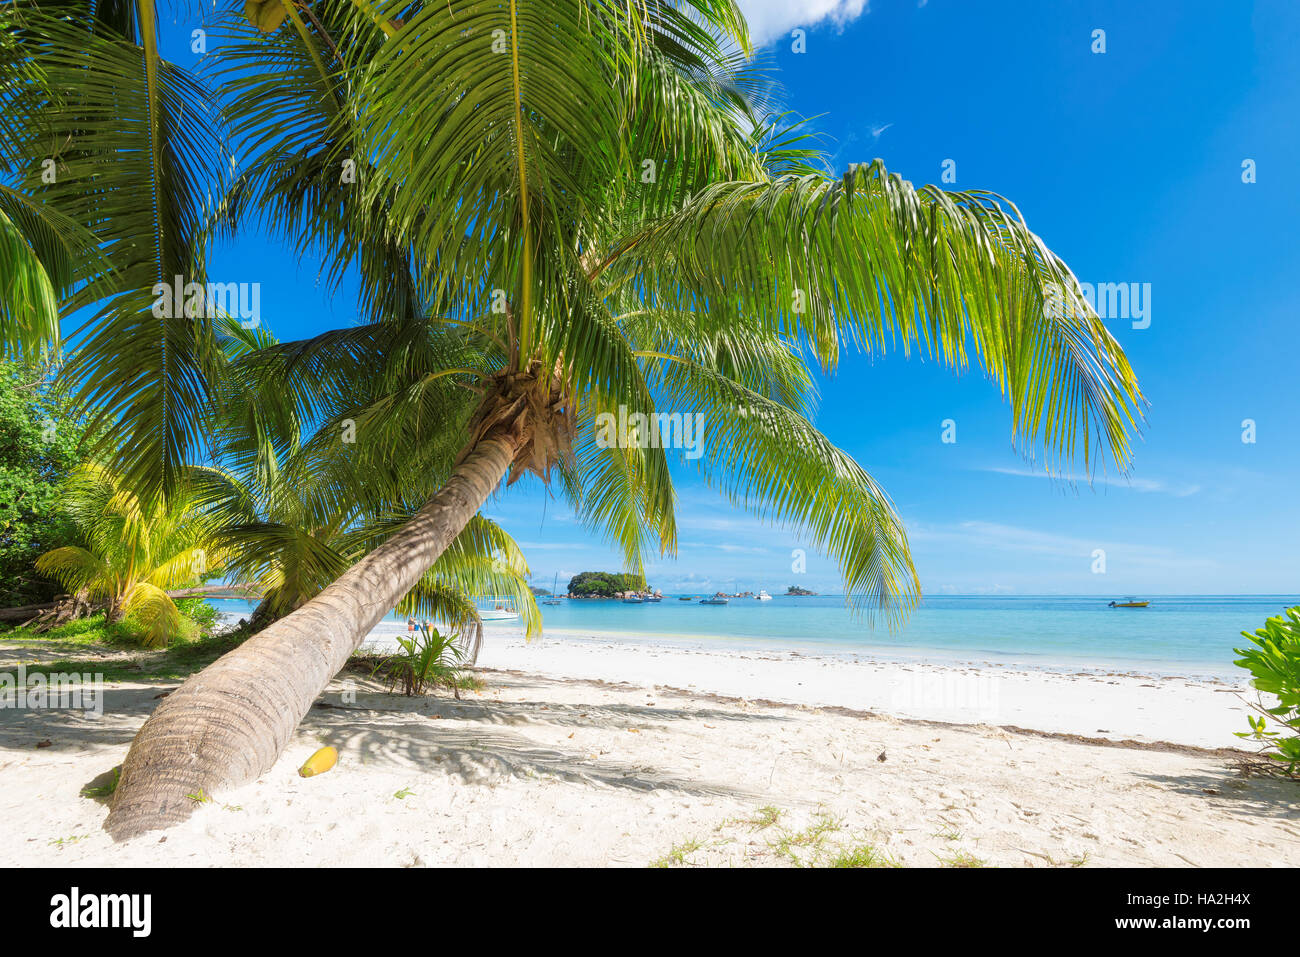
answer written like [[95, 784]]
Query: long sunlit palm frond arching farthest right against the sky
[[874, 262]]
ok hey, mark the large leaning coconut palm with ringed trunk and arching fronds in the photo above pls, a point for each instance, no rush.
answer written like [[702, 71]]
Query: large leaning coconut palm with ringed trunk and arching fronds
[[584, 202]]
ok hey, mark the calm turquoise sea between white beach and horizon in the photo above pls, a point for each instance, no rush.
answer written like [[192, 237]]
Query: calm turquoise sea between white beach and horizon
[[1177, 635]]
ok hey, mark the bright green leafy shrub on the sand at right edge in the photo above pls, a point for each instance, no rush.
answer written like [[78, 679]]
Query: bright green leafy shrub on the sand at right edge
[[1275, 665]]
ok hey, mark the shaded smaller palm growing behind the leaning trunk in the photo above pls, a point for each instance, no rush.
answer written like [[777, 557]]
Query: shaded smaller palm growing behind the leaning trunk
[[292, 516]]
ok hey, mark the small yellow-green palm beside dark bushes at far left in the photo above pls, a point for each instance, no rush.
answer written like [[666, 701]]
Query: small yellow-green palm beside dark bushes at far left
[[136, 553]]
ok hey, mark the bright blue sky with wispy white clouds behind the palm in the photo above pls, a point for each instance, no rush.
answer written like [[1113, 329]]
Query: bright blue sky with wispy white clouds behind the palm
[[1129, 164]]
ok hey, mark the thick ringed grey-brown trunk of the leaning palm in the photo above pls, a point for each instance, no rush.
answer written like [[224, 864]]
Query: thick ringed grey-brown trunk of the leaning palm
[[228, 725]]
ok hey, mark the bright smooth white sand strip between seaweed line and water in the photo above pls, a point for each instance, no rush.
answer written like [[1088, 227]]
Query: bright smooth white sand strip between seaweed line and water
[[1180, 711]]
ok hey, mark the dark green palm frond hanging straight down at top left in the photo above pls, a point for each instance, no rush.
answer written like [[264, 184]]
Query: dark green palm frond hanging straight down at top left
[[136, 154]]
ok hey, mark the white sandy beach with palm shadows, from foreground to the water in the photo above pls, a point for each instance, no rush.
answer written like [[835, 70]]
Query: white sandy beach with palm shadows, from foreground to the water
[[579, 754]]
